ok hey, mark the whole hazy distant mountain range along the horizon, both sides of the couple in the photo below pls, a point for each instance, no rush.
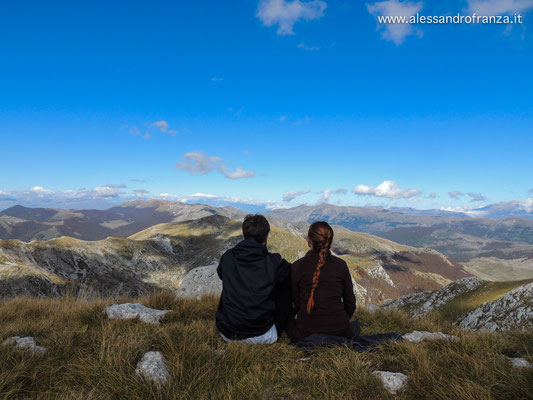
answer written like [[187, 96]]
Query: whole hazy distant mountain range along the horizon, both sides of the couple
[[491, 248]]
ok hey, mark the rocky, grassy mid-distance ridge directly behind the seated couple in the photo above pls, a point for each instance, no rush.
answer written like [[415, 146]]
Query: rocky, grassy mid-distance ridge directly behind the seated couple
[[161, 255]]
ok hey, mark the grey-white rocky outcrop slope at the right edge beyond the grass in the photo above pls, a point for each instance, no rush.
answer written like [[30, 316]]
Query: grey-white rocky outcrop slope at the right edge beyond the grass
[[514, 309]]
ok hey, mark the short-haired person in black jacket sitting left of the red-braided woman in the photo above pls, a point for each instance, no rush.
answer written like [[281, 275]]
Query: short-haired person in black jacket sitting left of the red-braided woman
[[256, 301]]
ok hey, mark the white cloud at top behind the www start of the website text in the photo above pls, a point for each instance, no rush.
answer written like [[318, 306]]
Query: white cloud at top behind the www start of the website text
[[395, 33]]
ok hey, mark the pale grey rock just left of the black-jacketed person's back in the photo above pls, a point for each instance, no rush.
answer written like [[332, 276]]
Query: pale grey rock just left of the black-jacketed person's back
[[199, 282]]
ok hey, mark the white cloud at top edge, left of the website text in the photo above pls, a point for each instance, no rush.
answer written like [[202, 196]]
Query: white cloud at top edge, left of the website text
[[286, 13]]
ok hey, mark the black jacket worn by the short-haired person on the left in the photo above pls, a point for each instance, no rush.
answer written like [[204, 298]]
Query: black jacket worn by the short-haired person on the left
[[250, 275]]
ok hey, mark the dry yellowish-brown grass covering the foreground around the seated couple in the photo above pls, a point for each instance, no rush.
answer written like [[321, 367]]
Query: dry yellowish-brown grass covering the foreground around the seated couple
[[91, 357]]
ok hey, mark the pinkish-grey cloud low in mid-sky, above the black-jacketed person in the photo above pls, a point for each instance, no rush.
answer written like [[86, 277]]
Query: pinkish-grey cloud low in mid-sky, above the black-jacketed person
[[198, 163]]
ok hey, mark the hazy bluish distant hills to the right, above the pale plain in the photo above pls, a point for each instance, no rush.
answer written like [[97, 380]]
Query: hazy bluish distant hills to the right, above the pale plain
[[461, 237]]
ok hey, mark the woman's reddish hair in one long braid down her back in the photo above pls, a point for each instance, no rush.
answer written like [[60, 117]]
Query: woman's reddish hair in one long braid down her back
[[320, 236]]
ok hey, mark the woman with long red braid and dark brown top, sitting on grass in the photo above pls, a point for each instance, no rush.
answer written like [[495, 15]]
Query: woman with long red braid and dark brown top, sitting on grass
[[322, 289]]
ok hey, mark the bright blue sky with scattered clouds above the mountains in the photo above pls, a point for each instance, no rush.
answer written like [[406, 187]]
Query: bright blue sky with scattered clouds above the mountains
[[263, 102]]
